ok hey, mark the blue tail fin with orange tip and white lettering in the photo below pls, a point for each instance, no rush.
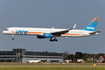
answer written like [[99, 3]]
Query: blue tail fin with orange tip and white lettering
[[92, 25]]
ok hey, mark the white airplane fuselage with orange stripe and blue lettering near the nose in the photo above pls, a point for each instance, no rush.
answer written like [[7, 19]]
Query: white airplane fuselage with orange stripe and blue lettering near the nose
[[41, 31]]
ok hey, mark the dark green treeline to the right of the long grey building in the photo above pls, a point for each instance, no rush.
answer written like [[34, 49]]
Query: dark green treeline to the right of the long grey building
[[84, 56]]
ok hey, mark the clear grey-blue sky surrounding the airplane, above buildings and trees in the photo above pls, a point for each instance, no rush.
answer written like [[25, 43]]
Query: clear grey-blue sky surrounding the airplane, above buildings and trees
[[52, 13]]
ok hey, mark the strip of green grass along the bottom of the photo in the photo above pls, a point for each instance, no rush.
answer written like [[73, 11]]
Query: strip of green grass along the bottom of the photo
[[52, 67]]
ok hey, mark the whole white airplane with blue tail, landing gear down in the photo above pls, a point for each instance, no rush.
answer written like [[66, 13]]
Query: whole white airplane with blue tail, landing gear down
[[52, 33]]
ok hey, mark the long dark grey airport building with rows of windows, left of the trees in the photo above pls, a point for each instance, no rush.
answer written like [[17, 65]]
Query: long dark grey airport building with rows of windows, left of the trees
[[21, 55]]
